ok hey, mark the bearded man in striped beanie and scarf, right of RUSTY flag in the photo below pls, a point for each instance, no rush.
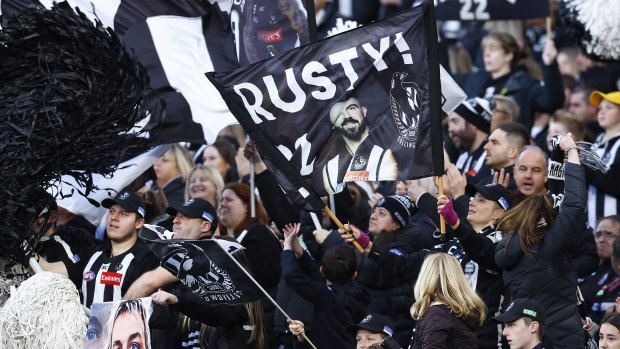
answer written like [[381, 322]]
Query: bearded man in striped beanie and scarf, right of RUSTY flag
[[468, 127]]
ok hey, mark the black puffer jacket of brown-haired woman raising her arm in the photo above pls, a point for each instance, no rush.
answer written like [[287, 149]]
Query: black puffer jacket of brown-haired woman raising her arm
[[550, 277]]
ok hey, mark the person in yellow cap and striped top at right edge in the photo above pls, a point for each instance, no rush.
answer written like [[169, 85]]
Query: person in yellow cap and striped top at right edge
[[603, 188]]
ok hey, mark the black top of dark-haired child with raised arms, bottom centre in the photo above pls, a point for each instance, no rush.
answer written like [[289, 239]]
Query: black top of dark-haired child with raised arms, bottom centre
[[335, 306]]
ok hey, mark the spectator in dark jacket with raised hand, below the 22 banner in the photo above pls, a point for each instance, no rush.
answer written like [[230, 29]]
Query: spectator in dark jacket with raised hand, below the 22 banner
[[504, 75]]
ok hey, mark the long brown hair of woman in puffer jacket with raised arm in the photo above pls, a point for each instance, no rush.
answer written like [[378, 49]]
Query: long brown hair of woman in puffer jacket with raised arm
[[532, 219]]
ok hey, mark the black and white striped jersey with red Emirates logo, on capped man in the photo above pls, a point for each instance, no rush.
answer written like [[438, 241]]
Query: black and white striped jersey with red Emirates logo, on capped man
[[101, 278]]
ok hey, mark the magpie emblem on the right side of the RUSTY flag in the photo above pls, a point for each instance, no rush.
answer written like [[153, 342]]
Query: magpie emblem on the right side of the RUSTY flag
[[405, 103]]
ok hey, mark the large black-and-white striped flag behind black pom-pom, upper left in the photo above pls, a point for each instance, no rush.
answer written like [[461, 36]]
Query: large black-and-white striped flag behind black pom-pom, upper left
[[177, 41]]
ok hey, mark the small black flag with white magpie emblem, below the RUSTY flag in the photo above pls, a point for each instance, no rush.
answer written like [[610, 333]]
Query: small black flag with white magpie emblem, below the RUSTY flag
[[208, 268]]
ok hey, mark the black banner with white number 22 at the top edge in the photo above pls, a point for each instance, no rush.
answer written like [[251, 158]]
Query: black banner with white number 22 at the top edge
[[484, 10]]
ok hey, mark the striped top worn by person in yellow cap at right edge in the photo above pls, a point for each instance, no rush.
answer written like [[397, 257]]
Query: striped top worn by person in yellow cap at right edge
[[603, 188]]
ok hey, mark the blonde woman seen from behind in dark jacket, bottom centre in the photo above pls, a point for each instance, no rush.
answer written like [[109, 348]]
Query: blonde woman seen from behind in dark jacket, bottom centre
[[448, 311]]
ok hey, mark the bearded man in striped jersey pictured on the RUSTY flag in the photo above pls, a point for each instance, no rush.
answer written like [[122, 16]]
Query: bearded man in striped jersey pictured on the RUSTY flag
[[363, 161]]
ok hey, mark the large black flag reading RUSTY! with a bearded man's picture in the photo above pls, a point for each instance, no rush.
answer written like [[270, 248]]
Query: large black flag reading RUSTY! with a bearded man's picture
[[364, 105]]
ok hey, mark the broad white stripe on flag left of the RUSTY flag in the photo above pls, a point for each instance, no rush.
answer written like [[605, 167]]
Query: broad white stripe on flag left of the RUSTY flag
[[183, 53]]
